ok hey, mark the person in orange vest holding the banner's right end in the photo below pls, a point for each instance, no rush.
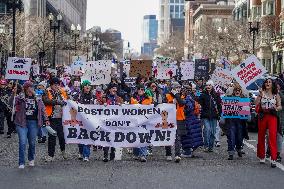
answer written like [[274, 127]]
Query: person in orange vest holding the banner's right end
[[175, 97]]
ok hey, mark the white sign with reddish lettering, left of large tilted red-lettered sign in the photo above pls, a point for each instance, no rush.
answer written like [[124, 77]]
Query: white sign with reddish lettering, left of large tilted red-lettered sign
[[222, 79]]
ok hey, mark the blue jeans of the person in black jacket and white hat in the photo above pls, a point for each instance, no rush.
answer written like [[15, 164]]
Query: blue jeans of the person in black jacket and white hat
[[209, 132]]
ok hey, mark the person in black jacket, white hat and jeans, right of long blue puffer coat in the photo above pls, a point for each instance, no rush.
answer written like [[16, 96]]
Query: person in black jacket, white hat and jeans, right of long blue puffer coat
[[210, 103]]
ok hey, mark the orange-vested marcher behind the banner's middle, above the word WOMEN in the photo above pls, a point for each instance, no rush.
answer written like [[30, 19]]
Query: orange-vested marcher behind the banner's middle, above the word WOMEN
[[139, 97]]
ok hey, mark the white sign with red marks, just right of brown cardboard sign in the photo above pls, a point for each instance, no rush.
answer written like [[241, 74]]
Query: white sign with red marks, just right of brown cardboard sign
[[166, 69]]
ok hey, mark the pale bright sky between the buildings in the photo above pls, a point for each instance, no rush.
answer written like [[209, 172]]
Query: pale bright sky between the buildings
[[123, 15]]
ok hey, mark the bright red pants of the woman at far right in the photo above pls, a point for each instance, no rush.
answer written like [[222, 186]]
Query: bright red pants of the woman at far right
[[267, 122]]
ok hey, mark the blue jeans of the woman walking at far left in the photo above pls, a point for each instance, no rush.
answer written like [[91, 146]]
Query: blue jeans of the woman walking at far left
[[27, 133]]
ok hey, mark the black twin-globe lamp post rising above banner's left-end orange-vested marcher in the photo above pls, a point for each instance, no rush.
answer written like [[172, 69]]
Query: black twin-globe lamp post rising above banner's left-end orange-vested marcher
[[54, 26]]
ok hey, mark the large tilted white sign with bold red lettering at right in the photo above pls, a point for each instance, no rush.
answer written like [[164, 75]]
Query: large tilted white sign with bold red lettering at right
[[248, 71]]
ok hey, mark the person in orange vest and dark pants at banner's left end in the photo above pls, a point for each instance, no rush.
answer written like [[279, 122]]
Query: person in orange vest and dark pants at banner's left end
[[54, 100]]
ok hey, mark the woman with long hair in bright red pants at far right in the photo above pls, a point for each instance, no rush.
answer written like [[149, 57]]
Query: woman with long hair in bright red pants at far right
[[268, 103]]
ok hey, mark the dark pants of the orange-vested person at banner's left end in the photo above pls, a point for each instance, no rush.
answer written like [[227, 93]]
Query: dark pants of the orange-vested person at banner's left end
[[56, 124]]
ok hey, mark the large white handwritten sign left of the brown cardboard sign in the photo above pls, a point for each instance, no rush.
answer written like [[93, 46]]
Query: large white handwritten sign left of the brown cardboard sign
[[98, 72]]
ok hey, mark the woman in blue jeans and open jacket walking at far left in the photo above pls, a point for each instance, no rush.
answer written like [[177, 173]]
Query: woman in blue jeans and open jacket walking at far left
[[29, 116]]
